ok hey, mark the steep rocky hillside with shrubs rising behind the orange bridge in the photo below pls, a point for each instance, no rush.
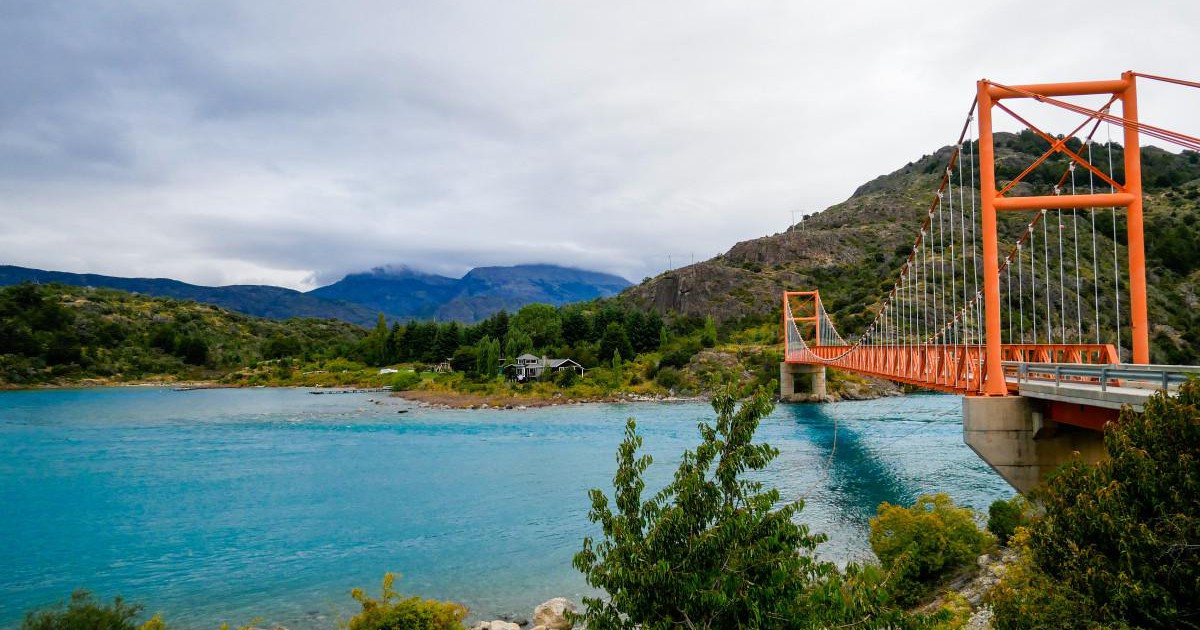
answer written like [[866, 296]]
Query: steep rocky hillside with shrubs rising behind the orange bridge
[[853, 253]]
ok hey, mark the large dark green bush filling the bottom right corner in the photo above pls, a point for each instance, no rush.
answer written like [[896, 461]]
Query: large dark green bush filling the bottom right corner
[[1119, 543]]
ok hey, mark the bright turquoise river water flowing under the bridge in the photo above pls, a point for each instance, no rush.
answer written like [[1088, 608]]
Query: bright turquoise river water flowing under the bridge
[[230, 506]]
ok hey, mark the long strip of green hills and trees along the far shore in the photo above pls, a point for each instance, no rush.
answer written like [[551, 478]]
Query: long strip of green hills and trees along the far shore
[[63, 335]]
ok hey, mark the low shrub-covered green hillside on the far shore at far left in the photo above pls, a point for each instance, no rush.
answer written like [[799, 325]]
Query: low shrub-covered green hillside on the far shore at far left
[[61, 334]]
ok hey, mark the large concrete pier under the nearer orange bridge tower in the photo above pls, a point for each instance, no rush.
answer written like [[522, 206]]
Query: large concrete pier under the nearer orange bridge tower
[[1017, 440]]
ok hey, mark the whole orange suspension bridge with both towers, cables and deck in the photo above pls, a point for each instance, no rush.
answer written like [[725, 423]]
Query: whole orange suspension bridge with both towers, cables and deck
[[1058, 313]]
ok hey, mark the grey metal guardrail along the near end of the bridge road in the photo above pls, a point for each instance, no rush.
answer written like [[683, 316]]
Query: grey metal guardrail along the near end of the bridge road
[[1115, 375]]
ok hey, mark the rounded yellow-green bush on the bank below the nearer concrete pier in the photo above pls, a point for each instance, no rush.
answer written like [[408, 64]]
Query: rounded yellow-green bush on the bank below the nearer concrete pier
[[926, 542]]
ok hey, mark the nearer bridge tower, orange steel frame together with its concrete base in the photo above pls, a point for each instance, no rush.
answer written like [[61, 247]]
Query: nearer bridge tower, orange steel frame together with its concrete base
[[1015, 435]]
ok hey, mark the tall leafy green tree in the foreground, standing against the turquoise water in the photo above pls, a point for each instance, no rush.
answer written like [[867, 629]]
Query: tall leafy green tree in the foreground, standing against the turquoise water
[[712, 550]]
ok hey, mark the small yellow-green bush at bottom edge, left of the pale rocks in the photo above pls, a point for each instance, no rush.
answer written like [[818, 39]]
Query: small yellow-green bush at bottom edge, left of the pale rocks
[[393, 613]]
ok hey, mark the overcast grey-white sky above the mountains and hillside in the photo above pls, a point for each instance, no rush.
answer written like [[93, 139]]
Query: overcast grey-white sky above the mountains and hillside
[[290, 143]]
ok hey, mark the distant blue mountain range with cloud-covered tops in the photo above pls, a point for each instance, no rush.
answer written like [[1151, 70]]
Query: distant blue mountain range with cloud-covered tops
[[400, 293]]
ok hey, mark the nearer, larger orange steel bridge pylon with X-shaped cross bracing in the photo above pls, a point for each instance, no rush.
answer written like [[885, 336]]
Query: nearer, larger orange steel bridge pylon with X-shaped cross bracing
[[1127, 196]]
